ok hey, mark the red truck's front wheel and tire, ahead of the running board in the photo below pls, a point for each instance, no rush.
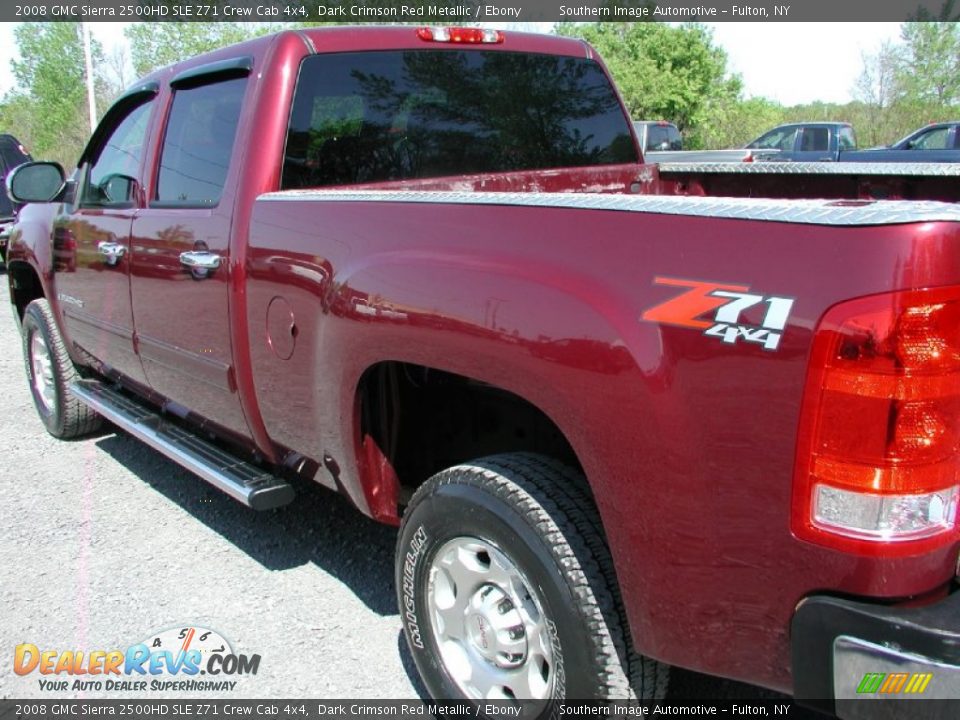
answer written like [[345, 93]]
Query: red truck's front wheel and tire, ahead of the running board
[[62, 414]]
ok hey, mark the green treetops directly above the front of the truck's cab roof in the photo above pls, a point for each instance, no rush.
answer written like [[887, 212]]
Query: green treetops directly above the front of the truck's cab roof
[[154, 45]]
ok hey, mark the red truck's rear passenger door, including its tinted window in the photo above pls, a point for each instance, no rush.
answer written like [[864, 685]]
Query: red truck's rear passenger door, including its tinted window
[[181, 268]]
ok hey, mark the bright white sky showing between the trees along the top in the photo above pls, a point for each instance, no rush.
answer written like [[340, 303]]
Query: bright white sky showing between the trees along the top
[[791, 63]]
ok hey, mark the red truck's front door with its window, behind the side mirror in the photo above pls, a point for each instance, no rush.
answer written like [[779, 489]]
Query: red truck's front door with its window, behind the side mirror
[[91, 238]]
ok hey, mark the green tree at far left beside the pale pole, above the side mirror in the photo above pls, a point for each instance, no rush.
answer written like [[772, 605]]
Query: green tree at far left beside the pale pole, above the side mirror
[[47, 109]]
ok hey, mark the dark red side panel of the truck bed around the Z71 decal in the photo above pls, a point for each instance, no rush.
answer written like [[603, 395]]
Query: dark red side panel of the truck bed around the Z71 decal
[[688, 442]]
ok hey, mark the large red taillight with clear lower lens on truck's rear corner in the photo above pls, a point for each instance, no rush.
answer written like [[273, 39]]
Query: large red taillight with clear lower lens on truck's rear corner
[[878, 455]]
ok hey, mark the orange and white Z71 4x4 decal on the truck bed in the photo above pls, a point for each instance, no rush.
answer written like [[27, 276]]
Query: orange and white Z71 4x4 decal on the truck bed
[[722, 304]]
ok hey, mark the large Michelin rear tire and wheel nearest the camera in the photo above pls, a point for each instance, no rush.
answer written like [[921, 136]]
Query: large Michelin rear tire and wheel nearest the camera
[[535, 513]]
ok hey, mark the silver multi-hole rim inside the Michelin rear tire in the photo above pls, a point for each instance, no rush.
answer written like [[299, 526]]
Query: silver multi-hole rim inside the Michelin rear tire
[[488, 622]]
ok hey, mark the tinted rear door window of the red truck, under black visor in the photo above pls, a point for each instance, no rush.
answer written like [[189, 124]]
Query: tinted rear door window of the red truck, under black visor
[[198, 143]]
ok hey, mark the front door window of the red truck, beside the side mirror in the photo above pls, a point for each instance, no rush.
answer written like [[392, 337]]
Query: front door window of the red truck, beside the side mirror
[[109, 180]]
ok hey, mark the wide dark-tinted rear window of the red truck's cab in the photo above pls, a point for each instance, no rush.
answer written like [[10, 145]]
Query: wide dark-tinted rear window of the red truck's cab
[[377, 116]]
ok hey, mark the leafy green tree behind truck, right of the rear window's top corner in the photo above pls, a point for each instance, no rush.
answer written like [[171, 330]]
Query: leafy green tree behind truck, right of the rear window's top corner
[[664, 72]]
